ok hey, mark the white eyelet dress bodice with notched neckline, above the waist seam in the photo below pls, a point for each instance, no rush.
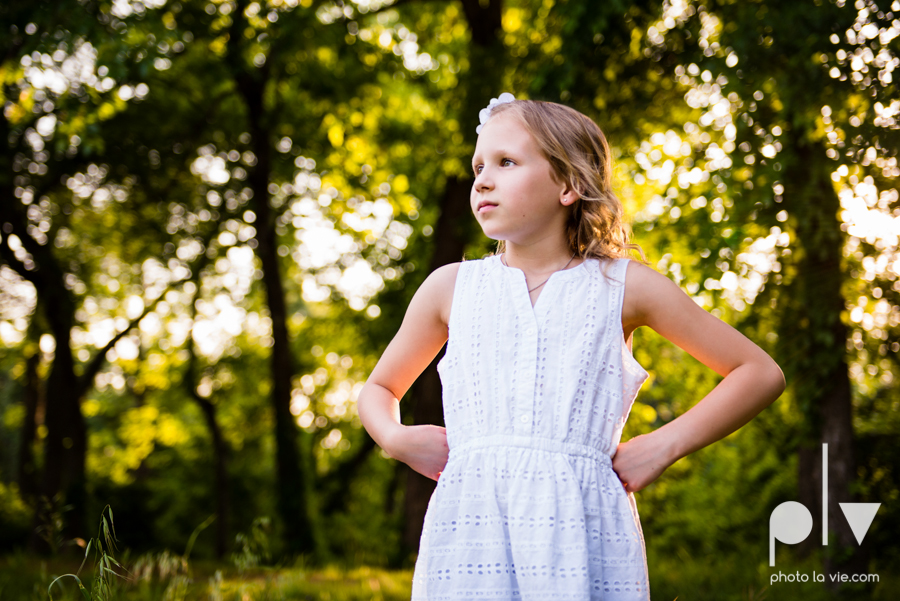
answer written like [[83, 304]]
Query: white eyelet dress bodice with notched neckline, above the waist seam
[[557, 370]]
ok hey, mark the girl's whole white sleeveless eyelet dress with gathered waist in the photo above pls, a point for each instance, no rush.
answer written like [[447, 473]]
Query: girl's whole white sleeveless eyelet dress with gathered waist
[[535, 398]]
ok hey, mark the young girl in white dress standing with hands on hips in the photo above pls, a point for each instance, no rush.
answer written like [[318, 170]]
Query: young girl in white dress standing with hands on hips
[[535, 493]]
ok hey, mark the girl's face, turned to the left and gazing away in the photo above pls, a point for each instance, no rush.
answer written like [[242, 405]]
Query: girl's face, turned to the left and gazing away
[[515, 196]]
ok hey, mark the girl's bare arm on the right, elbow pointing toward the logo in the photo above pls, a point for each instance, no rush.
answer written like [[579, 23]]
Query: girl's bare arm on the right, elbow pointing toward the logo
[[752, 380]]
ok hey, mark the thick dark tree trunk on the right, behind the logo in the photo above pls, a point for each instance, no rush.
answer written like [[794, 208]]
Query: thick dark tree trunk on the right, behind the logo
[[813, 328]]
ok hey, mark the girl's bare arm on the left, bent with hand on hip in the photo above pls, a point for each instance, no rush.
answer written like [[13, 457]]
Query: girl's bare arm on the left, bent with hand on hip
[[420, 337]]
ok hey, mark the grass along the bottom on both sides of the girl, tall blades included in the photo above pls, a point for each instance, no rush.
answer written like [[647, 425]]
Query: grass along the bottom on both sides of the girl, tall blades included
[[685, 575]]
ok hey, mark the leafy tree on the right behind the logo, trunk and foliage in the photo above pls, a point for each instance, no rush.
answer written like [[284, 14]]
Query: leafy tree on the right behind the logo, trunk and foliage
[[805, 108]]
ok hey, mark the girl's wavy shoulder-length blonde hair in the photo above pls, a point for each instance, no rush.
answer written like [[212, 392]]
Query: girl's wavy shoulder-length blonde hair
[[579, 156]]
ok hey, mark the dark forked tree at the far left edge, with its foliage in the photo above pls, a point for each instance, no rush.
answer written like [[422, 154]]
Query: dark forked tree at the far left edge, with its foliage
[[36, 166]]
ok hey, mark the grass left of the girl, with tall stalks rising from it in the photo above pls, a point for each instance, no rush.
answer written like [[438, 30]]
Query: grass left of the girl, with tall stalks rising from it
[[171, 577]]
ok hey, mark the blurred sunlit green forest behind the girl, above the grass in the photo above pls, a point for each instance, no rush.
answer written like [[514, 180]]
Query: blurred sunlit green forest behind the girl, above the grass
[[214, 213]]
